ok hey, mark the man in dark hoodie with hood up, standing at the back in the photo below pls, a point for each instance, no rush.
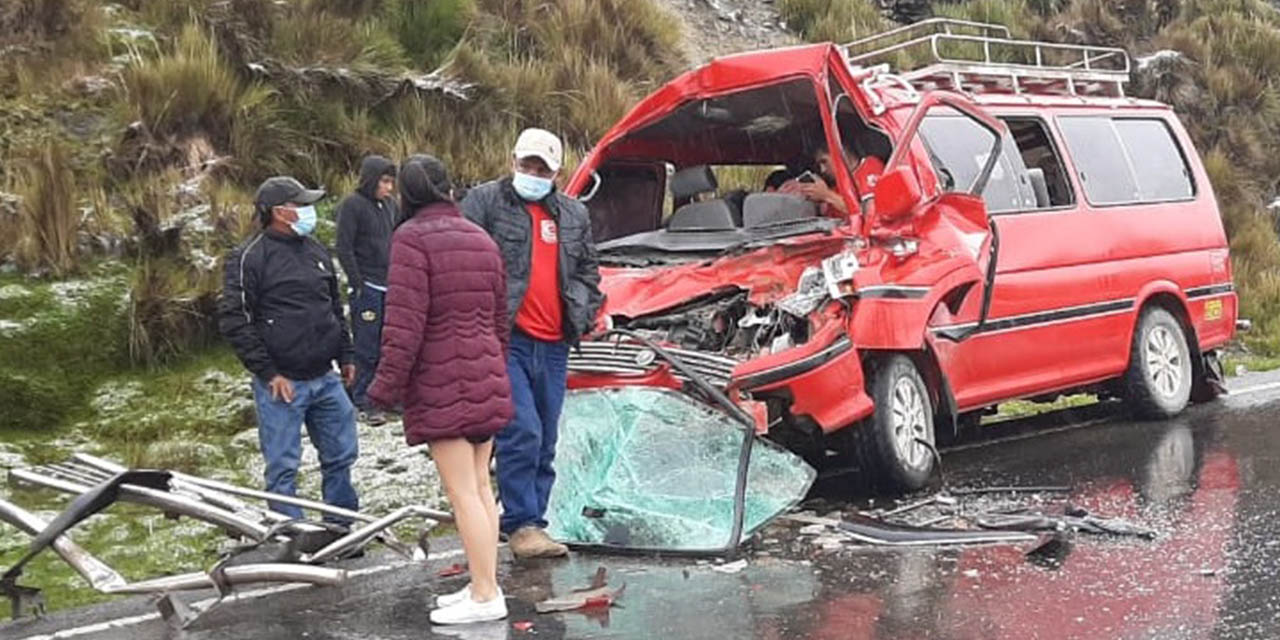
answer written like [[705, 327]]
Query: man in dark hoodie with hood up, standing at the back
[[365, 223]]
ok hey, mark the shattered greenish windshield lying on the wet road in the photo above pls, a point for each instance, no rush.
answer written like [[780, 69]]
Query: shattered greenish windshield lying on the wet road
[[653, 469]]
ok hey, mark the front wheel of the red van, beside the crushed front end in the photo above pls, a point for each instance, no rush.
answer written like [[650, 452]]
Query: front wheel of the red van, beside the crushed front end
[[903, 412]]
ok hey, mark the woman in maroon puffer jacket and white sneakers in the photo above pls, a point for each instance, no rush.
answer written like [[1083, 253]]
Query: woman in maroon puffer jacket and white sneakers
[[444, 359]]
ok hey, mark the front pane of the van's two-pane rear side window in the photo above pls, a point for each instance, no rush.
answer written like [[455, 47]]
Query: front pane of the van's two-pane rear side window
[[1101, 162]]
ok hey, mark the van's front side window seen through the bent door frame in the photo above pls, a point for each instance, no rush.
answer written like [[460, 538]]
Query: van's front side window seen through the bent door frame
[[959, 148]]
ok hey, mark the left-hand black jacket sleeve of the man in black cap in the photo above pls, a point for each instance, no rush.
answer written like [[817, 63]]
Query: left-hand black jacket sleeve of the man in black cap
[[236, 313]]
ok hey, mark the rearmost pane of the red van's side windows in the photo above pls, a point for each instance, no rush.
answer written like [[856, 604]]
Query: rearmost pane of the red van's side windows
[[1159, 163]]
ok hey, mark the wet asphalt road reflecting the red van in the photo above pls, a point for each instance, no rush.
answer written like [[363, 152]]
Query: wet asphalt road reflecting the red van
[[1209, 483]]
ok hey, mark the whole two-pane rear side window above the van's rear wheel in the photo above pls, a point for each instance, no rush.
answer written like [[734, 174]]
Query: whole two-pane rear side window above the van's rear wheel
[[1127, 161]]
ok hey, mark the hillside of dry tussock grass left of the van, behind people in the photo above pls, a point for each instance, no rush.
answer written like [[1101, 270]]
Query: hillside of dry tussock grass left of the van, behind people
[[132, 135]]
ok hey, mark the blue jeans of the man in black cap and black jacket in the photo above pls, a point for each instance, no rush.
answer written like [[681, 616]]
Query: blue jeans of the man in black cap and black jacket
[[323, 406]]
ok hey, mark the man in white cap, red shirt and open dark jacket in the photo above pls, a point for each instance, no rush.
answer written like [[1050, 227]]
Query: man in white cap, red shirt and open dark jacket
[[552, 298]]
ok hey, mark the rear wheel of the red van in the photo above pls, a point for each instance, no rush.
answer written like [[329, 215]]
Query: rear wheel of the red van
[[1159, 381]]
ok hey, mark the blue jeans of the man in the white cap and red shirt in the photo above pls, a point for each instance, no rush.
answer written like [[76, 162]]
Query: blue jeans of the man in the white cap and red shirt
[[527, 447]]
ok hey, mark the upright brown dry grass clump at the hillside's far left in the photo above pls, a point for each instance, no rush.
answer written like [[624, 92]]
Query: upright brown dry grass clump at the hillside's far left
[[48, 214]]
